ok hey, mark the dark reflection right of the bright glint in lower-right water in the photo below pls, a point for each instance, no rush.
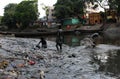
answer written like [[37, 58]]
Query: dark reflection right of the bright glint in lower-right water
[[112, 66]]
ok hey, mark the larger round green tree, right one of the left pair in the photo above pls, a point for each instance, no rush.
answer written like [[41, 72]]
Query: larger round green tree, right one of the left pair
[[26, 13]]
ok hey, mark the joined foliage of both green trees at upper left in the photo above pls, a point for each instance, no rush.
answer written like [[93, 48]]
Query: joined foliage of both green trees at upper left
[[21, 14]]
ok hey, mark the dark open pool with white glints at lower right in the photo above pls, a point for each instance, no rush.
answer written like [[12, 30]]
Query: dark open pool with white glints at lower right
[[110, 64]]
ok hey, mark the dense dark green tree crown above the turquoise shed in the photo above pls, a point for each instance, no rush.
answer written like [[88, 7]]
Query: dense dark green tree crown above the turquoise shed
[[69, 8]]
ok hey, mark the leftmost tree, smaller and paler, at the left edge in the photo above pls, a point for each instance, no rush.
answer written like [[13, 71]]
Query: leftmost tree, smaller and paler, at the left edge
[[9, 18]]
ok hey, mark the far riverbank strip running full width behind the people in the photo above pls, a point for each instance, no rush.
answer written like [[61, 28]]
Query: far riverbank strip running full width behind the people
[[99, 28]]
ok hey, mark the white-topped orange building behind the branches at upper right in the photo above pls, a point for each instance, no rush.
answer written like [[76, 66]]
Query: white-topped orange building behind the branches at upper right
[[93, 14]]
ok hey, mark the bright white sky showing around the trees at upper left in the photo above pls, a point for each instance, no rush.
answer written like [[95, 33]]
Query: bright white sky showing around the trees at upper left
[[3, 3]]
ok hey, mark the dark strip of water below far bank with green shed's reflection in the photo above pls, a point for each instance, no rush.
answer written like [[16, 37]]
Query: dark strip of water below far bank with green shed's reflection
[[74, 39]]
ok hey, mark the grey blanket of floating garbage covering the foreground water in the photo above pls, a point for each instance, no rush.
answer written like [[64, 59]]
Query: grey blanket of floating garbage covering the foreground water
[[19, 60]]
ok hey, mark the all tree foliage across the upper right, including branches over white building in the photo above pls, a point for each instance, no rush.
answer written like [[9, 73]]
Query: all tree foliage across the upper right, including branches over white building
[[75, 8]]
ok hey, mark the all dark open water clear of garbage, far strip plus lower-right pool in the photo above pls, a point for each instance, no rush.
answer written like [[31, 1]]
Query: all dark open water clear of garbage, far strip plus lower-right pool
[[110, 64]]
